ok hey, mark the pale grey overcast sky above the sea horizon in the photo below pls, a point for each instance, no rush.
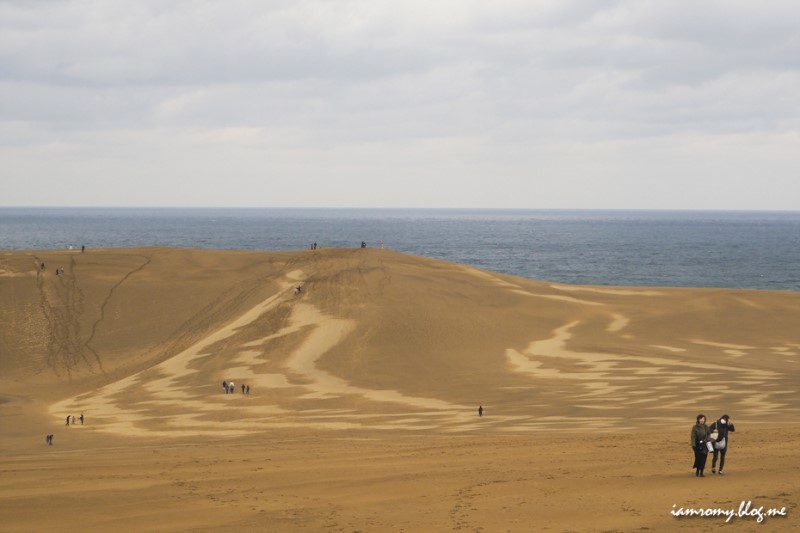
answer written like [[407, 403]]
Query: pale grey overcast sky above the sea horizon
[[524, 104]]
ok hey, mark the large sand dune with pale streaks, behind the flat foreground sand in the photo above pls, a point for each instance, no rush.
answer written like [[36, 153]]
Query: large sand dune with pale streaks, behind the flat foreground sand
[[380, 340]]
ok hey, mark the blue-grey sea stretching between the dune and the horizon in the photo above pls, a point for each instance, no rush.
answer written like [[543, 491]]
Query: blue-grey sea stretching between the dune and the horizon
[[759, 250]]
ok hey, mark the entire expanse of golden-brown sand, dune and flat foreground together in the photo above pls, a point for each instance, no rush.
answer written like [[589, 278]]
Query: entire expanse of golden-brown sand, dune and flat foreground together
[[364, 389]]
